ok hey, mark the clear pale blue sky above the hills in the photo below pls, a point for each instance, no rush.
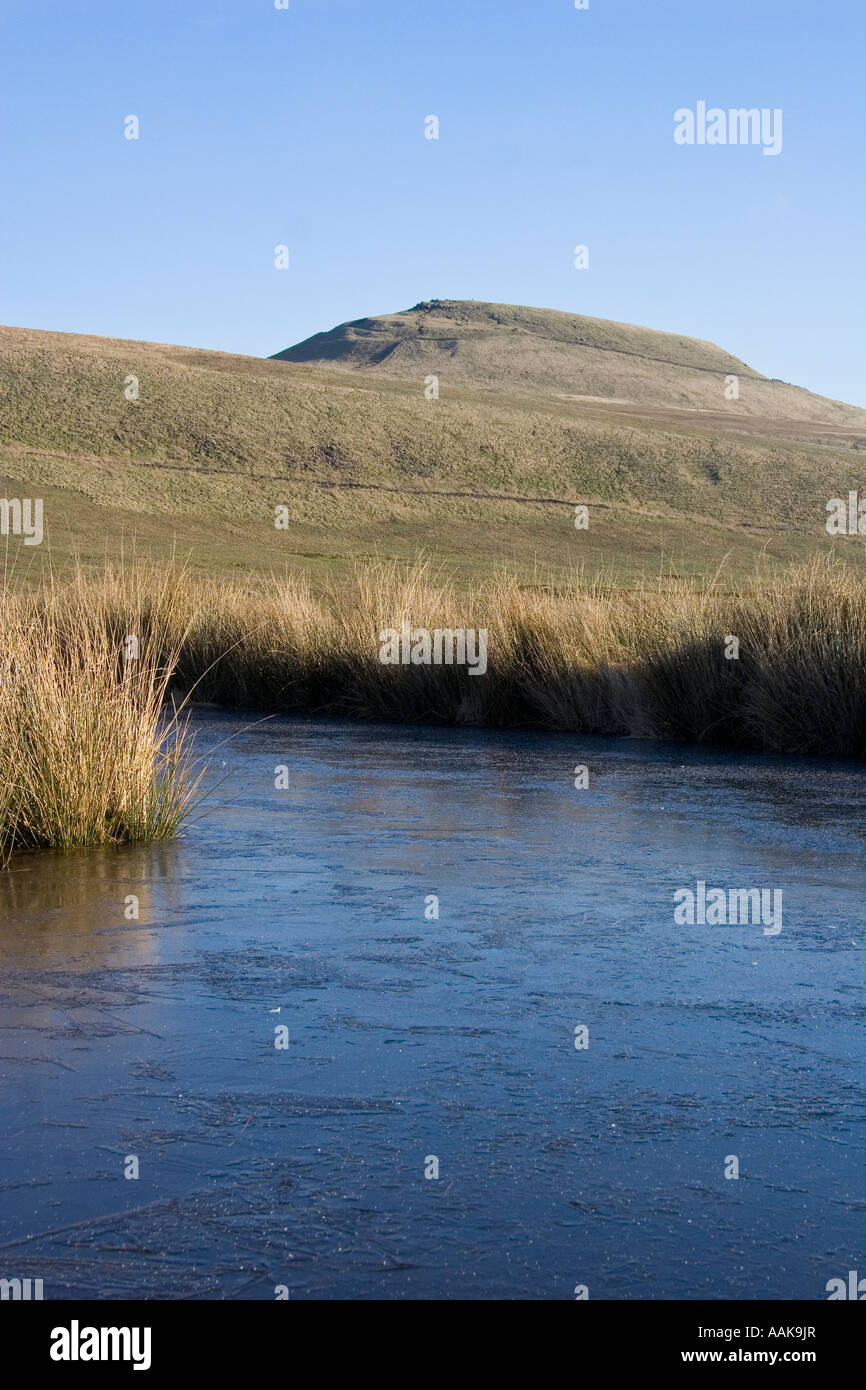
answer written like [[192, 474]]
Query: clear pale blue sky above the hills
[[262, 127]]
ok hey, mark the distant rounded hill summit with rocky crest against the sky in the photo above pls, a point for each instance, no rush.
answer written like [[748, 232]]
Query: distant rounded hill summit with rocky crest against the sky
[[529, 352]]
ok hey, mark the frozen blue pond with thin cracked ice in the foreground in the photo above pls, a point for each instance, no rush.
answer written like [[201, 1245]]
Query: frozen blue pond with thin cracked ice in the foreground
[[414, 1039]]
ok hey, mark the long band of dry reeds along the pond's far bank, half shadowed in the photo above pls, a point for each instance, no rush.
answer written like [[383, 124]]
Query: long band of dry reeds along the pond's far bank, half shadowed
[[579, 657]]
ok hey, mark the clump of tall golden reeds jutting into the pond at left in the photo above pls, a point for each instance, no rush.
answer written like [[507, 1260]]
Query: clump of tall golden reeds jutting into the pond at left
[[88, 749]]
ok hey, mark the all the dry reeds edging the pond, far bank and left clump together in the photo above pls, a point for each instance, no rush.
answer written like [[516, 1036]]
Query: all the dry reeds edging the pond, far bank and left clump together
[[88, 755]]
